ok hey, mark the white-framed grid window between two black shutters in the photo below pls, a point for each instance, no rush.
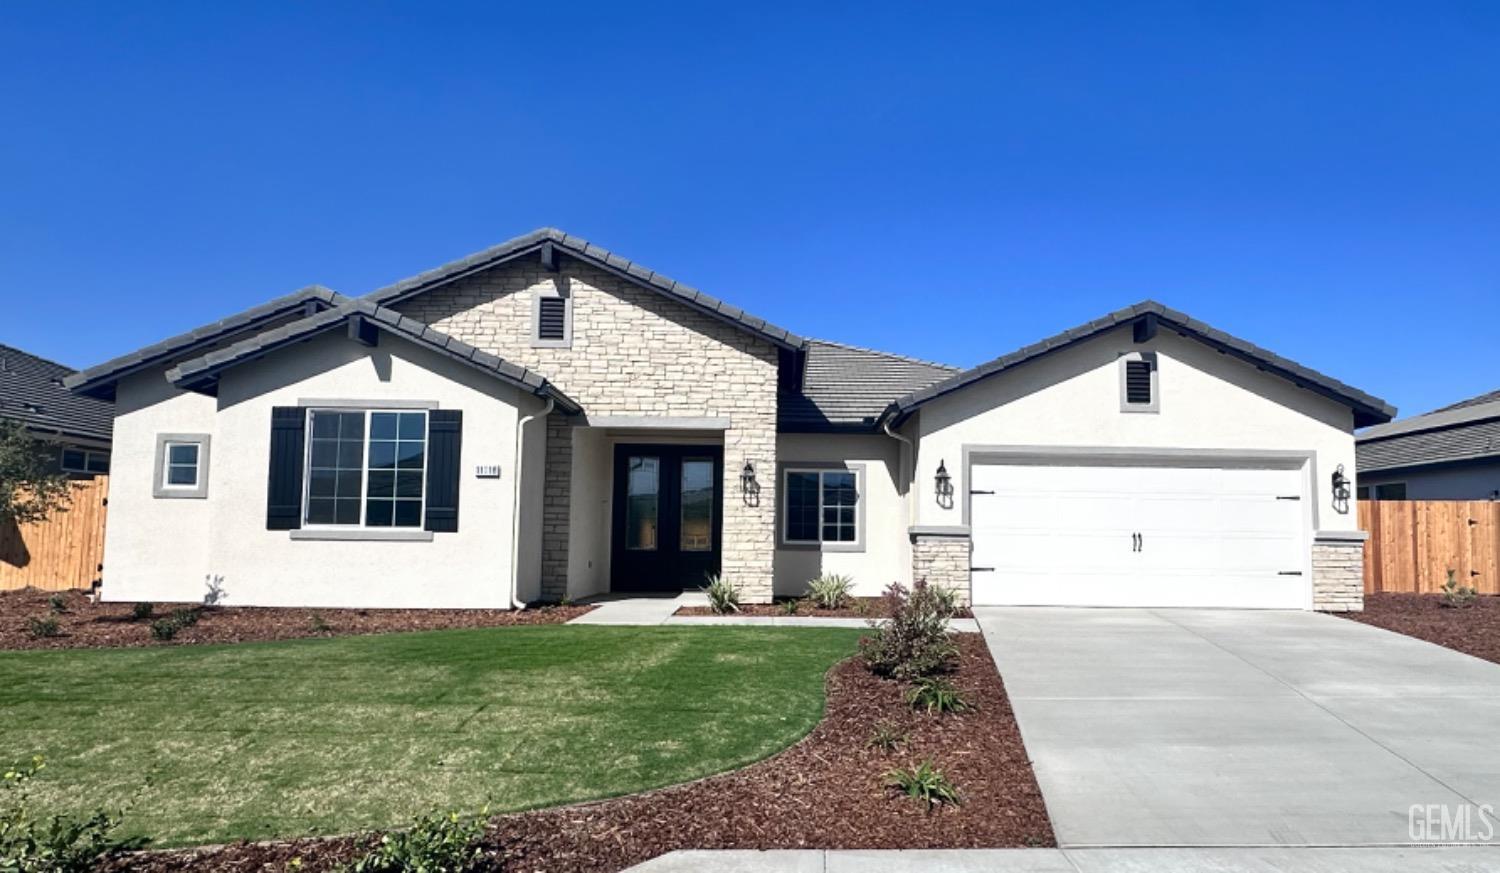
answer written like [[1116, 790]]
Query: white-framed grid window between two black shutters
[[367, 467]]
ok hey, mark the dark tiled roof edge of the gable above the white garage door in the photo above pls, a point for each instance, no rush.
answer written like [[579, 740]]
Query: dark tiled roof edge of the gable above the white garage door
[[1151, 316]]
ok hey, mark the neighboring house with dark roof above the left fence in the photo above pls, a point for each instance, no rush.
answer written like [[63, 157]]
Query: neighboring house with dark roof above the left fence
[[77, 428]]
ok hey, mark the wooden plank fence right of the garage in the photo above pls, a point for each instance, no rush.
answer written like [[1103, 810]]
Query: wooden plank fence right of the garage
[[1414, 544]]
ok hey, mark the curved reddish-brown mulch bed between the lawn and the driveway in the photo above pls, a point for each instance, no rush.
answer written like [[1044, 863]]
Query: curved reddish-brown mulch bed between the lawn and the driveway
[[826, 793]]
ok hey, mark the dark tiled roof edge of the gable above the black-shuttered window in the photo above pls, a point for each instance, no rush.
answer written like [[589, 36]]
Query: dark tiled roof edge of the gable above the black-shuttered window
[[202, 374]]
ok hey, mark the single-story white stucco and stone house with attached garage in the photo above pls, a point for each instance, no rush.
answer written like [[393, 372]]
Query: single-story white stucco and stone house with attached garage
[[547, 419]]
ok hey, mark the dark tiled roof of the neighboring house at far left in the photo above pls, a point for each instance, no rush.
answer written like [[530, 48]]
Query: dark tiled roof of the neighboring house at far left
[[32, 392]]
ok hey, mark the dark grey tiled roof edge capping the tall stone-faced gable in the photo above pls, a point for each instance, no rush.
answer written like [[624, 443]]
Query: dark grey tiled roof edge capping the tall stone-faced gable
[[536, 242]]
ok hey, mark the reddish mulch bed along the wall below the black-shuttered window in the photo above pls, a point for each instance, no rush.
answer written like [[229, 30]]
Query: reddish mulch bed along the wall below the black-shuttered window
[[85, 625]]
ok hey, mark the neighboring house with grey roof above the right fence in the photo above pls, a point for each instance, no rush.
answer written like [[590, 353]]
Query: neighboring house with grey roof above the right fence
[[1451, 454]]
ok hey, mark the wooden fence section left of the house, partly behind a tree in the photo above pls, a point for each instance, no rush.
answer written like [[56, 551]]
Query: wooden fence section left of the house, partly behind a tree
[[67, 551]]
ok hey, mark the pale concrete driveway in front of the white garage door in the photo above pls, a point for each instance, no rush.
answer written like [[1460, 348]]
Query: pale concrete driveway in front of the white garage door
[[1222, 728]]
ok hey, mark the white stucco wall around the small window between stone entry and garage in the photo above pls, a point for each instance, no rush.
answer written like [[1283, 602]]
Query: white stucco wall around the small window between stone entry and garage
[[886, 554]]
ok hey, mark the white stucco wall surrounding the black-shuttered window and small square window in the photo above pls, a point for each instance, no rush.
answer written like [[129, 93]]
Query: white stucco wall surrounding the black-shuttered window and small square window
[[166, 548]]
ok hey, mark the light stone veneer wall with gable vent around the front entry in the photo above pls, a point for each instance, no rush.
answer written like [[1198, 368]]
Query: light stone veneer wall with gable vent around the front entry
[[634, 353]]
